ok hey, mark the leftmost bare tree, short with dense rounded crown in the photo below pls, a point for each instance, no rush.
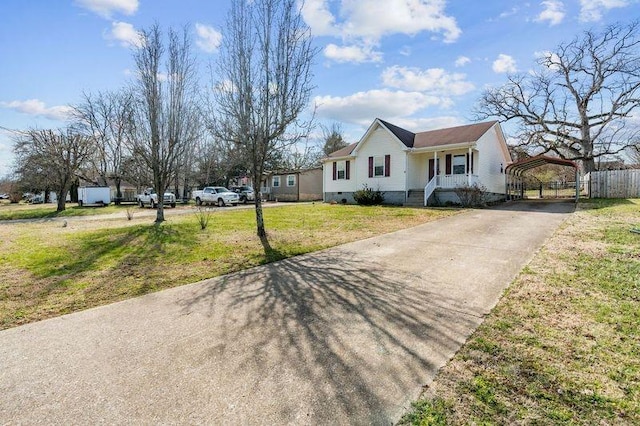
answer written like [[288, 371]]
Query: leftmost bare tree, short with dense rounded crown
[[51, 159]]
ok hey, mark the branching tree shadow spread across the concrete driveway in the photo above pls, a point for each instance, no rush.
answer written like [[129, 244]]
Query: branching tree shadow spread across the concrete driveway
[[328, 337]]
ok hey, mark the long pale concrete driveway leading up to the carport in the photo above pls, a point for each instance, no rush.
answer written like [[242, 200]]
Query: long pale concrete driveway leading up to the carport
[[347, 335]]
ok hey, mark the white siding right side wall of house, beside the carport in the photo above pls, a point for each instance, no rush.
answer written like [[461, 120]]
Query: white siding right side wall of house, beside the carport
[[491, 155]]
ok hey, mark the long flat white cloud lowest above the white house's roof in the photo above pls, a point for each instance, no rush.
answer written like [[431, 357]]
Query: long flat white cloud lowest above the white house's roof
[[362, 107]]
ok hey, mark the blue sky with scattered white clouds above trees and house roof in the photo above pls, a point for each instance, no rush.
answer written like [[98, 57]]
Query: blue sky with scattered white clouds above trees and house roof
[[420, 64]]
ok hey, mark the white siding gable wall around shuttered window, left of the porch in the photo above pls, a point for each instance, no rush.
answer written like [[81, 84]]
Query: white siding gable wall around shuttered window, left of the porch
[[381, 143]]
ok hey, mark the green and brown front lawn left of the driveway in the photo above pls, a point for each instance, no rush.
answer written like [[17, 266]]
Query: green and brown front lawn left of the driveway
[[47, 269]]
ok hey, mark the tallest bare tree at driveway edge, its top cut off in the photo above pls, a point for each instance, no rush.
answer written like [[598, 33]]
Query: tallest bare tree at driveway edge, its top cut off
[[265, 82]]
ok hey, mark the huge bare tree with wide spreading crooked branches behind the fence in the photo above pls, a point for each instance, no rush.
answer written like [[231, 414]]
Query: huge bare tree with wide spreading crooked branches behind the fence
[[577, 103]]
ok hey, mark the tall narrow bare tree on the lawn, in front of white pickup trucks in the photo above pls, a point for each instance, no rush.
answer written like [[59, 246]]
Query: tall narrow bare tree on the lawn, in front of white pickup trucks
[[166, 116]]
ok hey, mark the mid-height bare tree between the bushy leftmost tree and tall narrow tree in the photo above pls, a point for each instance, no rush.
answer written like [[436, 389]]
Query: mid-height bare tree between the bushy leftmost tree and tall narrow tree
[[108, 118]]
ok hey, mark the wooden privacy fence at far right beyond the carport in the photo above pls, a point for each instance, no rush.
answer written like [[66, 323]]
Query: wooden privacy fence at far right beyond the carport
[[614, 184]]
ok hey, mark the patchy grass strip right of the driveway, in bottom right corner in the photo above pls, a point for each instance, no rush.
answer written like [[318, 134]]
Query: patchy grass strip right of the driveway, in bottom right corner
[[563, 344]]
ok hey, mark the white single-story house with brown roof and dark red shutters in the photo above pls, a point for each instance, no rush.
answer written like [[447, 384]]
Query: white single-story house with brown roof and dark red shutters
[[419, 168]]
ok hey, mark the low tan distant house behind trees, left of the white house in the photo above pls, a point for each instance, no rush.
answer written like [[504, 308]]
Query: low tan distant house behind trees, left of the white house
[[293, 185]]
